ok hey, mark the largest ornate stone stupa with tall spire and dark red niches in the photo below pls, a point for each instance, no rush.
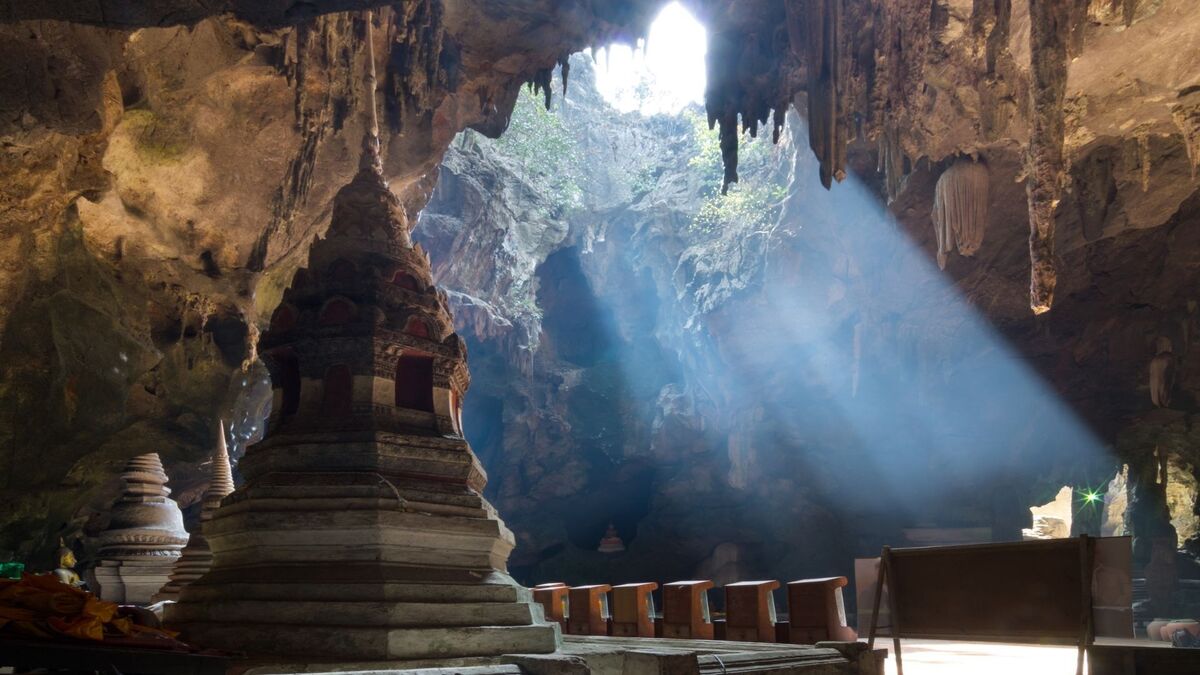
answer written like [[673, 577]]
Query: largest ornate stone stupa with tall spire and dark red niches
[[361, 531]]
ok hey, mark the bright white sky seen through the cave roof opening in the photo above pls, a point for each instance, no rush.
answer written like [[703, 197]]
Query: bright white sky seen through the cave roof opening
[[663, 77]]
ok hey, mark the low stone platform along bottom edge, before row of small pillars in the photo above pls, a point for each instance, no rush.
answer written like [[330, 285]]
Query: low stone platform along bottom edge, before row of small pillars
[[631, 656]]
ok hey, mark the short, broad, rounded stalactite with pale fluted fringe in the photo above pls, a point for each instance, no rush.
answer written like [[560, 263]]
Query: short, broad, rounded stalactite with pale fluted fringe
[[961, 208]]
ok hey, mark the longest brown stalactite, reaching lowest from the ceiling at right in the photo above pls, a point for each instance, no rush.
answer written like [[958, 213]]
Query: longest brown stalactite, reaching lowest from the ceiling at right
[[1051, 26]]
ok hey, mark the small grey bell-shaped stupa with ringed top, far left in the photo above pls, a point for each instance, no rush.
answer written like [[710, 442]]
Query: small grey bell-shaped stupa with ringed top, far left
[[143, 540]]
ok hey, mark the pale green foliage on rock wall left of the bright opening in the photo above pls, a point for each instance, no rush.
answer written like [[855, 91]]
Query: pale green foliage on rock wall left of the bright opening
[[547, 151]]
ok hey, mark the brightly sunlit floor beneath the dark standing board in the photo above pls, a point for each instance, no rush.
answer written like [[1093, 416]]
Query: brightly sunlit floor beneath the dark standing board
[[939, 658]]
